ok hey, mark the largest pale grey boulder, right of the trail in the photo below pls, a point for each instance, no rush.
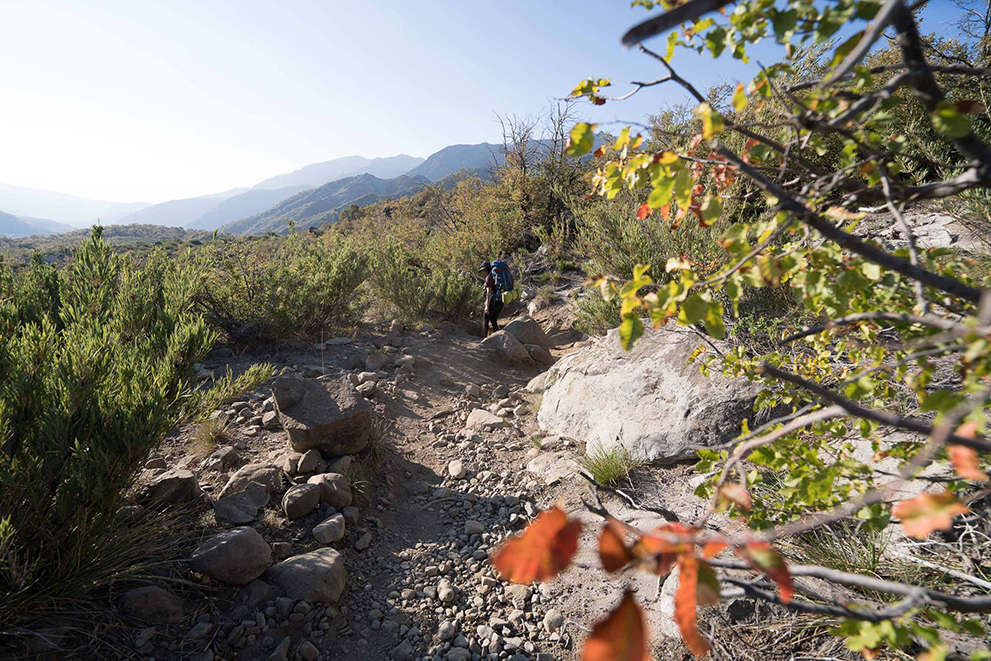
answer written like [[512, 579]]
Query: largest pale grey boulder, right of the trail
[[648, 400]]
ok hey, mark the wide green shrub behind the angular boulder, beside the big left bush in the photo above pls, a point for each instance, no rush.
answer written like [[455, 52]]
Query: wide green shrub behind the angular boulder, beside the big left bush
[[282, 288]]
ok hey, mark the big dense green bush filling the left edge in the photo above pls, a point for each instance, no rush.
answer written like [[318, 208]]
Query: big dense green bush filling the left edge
[[95, 362]]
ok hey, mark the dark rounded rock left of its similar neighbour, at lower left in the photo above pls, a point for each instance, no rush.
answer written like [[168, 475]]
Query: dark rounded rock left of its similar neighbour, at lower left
[[236, 556]]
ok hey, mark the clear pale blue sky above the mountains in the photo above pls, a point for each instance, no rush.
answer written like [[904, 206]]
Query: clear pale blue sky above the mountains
[[149, 101]]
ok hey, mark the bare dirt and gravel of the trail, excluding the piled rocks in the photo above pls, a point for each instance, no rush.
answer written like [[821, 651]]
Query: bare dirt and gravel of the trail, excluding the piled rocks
[[423, 588]]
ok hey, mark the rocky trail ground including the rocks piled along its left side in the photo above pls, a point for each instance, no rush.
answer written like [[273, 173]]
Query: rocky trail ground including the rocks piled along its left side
[[382, 553]]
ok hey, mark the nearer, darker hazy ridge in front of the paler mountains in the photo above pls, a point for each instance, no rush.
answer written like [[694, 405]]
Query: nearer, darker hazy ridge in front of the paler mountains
[[312, 208]]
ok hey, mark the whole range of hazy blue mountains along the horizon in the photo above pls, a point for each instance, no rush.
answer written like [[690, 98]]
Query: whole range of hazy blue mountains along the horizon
[[310, 195]]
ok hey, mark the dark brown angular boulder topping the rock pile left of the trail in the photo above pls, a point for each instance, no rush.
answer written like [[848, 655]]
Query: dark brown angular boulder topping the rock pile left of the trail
[[329, 415]]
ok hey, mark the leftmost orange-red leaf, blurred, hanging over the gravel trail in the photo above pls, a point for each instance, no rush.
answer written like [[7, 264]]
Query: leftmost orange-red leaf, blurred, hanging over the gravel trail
[[545, 548]]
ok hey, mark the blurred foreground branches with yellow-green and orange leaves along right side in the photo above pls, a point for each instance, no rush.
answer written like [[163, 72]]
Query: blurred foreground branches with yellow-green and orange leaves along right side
[[902, 340]]
